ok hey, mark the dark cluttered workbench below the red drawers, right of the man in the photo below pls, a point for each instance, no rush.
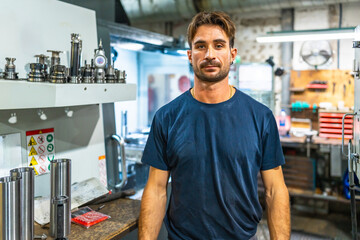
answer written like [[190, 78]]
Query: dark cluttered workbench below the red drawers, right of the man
[[301, 171]]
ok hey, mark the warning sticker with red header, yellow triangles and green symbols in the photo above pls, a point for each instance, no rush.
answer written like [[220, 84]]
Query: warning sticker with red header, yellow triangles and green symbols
[[41, 149]]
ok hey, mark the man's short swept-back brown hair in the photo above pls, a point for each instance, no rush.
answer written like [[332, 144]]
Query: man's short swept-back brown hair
[[220, 19]]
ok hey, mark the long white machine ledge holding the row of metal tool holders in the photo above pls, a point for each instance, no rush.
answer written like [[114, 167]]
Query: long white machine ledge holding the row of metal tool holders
[[23, 94]]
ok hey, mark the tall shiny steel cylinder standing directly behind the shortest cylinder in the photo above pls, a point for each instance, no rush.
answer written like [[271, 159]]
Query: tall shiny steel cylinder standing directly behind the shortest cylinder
[[60, 174]]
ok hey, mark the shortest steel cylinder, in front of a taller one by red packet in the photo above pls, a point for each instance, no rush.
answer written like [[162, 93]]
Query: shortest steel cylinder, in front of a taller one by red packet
[[62, 219]]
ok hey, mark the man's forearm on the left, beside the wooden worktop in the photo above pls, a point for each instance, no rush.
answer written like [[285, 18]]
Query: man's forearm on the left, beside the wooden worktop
[[153, 205]]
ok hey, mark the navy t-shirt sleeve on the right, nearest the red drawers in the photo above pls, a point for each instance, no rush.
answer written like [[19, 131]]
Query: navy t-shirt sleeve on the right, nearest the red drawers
[[272, 151]]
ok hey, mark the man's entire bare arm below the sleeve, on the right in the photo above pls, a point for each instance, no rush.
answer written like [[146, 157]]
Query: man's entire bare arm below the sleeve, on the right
[[277, 202]]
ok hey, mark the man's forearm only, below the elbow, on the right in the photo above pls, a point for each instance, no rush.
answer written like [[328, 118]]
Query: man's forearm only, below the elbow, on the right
[[278, 214]]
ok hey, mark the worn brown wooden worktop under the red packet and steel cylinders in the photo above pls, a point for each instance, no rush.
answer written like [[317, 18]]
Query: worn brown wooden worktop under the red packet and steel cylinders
[[124, 215]]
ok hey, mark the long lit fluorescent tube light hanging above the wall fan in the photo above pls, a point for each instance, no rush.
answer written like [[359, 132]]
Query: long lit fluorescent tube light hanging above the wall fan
[[308, 35]]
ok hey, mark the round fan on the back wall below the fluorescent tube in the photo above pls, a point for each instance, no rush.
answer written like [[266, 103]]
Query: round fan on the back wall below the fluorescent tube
[[316, 53]]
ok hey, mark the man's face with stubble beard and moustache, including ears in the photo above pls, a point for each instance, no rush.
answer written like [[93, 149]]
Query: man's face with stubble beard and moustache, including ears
[[210, 54]]
